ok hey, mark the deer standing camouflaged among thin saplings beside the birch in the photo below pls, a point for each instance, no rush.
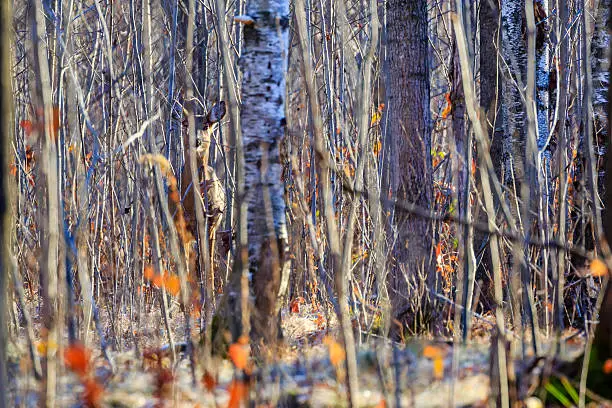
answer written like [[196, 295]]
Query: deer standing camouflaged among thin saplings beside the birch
[[211, 188]]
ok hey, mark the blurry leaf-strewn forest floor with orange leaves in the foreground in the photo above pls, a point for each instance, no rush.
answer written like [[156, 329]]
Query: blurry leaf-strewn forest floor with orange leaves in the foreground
[[308, 370]]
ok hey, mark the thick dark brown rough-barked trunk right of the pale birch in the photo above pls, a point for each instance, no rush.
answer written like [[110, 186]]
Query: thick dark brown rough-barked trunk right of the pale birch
[[409, 140]]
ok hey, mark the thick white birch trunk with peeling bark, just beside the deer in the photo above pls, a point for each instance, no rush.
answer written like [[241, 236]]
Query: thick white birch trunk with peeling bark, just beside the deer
[[263, 123]]
